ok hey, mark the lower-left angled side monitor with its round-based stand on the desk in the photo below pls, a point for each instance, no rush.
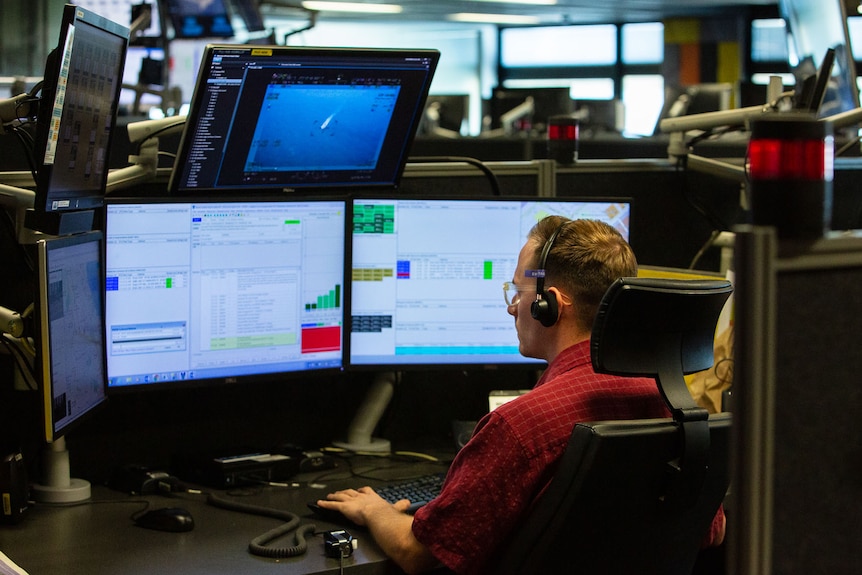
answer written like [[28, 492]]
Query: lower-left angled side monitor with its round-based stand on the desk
[[70, 361]]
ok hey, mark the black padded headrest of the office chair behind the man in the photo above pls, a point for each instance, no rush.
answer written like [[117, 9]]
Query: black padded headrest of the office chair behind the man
[[642, 320]]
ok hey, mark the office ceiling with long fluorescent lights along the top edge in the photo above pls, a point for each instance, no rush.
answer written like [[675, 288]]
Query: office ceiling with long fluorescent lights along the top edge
[[564, 11]]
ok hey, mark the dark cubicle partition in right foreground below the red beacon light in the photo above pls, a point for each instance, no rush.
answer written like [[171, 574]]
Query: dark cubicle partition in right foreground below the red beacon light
[[798, 405]]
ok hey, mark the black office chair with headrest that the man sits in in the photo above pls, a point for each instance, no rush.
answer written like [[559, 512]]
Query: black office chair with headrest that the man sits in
[[637, 496]]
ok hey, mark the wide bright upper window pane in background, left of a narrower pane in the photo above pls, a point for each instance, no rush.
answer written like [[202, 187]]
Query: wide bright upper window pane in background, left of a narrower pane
[[548, 46]]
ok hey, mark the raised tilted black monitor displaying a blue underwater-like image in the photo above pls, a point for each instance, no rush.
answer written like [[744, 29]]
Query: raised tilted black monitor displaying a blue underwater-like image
[[283, 118]]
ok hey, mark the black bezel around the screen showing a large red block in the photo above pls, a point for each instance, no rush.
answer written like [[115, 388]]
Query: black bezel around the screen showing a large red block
[[288, 376]]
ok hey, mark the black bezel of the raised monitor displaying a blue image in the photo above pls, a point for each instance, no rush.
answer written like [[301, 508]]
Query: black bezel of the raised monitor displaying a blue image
[[403, 143]]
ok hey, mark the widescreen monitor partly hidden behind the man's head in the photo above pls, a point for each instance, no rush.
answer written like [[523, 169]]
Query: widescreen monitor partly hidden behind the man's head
[[427, 276]]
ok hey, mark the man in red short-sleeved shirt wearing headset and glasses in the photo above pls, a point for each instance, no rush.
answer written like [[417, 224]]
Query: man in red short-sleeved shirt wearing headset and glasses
[[515, 449]]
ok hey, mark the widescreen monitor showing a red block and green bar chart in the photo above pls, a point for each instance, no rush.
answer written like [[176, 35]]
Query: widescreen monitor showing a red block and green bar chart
[[213, 292]]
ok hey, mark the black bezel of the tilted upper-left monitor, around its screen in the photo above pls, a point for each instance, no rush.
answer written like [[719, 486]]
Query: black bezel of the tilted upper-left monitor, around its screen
[[93, 198]]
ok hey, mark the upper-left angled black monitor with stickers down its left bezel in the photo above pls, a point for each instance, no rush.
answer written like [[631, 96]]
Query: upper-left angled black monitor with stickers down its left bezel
[[79, 100]]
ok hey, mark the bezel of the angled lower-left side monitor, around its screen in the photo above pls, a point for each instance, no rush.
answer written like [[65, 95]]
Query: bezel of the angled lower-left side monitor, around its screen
[[44, 371]]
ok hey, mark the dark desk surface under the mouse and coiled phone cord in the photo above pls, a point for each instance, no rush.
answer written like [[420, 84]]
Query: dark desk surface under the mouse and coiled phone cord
[[99, 538]]
